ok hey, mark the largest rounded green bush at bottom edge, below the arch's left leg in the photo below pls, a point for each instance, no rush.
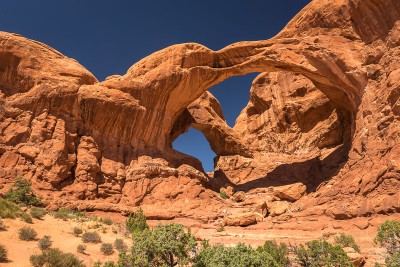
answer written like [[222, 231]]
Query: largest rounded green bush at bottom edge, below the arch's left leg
[[164, 245]]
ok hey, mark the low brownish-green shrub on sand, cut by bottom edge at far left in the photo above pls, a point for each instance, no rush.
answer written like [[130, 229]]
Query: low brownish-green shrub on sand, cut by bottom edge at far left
[[55, 258]]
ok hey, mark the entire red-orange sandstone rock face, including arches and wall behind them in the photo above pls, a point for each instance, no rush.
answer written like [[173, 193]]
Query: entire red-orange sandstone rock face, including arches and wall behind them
[[324, 112]]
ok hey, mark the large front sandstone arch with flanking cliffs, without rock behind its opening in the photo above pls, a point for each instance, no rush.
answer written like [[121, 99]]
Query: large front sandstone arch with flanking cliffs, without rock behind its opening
[[79, 139]]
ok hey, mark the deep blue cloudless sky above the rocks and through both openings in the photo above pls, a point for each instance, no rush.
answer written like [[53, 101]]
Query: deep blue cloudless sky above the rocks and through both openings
[[107, 37]]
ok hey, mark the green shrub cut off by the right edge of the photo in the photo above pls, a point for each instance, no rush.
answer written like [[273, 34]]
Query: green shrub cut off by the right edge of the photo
[[388, 236]]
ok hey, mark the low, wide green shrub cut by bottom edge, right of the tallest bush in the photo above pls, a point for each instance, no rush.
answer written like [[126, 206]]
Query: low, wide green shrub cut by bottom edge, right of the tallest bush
[[240, 255]]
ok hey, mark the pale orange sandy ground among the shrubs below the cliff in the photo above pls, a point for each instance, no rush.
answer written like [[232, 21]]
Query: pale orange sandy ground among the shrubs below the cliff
[[62, 237]]
